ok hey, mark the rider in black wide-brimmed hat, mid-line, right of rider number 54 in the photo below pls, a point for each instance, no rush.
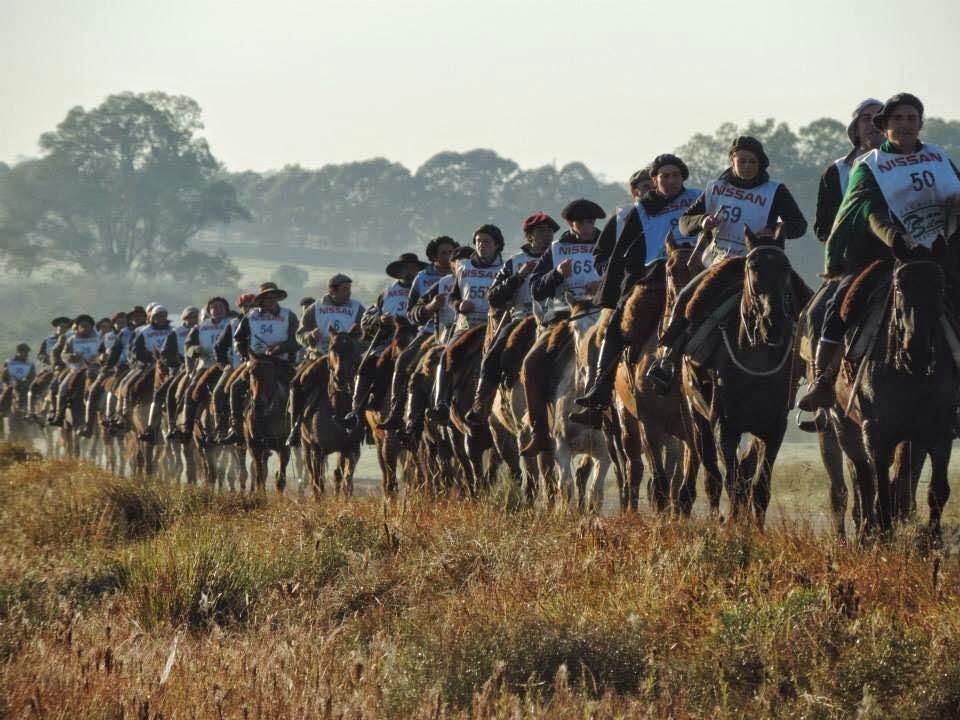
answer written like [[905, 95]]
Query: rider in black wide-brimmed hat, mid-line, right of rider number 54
[[391, 305]]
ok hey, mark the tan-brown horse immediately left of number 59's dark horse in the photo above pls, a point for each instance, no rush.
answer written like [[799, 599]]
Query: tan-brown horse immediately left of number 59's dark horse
[[655, 427]]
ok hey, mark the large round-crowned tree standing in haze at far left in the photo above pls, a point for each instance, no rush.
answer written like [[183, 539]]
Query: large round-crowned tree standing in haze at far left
[[120, 189]]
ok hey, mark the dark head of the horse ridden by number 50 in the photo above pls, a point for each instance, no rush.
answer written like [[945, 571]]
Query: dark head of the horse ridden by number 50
[[918, 303]]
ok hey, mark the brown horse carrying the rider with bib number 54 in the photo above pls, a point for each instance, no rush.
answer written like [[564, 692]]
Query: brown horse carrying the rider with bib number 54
[[265, 421]]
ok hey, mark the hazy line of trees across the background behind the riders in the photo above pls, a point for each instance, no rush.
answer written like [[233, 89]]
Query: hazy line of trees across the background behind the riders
[[131, 187]]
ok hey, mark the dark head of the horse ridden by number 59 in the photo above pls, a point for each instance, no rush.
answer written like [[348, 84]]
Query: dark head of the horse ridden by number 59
[[766, 285]]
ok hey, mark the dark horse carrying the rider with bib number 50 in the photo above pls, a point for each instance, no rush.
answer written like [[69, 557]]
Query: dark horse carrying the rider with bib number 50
[[910, 365]]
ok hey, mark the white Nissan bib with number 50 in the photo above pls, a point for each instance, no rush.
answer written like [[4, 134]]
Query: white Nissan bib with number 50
[[916, 187]]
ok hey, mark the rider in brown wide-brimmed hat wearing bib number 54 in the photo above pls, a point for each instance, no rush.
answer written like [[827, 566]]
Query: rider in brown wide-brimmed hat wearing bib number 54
[[267, 331]]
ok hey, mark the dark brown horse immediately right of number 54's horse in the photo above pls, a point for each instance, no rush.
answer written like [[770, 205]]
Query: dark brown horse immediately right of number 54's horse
[[322, 431]]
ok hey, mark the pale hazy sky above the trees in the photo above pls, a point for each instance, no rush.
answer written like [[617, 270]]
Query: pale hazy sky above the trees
[[608, 83]]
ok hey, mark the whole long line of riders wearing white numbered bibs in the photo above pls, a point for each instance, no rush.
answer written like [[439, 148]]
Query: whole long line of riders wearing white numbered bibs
[[890, 197]]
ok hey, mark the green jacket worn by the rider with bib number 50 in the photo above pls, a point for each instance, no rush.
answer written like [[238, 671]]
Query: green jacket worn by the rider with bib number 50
[[864, 228]]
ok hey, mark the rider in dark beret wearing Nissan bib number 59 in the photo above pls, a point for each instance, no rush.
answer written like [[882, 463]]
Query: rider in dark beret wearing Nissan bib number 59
[[743, 195]]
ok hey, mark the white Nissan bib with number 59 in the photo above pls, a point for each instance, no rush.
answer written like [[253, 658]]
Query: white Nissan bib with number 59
[[736, 207]]
